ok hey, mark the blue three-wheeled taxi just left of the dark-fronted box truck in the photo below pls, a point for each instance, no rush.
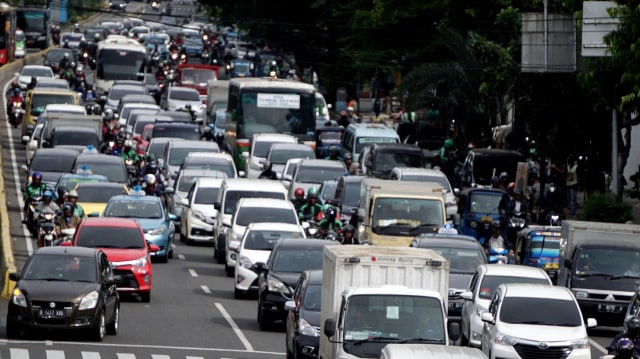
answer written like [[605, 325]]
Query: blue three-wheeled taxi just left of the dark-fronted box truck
[[539, 246]]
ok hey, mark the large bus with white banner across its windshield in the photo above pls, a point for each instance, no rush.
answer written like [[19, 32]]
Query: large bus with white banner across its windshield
[[267, 105]]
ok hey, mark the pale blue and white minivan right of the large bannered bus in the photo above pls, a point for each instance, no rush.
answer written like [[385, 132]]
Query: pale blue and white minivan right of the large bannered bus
[[359, 135]]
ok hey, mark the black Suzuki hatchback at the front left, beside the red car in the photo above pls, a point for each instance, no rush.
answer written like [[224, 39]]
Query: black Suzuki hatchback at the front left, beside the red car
[[62, 288]]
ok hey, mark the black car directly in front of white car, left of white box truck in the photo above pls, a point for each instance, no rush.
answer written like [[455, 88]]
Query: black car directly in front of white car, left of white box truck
[[288, 259]]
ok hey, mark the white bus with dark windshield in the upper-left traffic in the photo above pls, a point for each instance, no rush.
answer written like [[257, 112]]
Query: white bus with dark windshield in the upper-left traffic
[[118, 58]]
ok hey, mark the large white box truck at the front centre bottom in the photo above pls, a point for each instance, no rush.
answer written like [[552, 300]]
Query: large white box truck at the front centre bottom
[[374, 295]]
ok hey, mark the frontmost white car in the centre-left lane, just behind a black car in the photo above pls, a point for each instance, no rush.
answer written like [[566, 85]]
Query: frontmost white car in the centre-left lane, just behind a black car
[[257, 242]]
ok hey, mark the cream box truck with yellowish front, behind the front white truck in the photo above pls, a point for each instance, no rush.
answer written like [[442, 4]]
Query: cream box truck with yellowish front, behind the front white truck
[[394, 212]]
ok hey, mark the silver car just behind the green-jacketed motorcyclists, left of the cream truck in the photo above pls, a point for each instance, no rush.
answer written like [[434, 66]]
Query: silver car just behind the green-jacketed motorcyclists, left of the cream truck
[[311, 173]]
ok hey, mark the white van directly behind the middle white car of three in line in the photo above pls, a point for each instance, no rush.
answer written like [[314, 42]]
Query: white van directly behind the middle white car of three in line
[[231, 191]]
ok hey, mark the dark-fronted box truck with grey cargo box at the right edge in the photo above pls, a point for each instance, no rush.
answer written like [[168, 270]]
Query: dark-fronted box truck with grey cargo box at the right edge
[[597, 262]]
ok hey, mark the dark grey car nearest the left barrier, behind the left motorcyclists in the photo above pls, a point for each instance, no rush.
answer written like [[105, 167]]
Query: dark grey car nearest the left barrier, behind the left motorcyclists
[[51, 163]]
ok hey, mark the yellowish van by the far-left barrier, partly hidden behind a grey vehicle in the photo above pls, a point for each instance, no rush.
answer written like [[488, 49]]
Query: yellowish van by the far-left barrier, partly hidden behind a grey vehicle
[[37, 99]]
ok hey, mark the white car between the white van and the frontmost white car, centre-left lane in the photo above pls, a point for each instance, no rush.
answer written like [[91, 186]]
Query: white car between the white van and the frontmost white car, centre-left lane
[[255, 210]]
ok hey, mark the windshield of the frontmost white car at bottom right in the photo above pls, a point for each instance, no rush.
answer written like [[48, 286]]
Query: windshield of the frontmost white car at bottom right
[[540, 311]]
